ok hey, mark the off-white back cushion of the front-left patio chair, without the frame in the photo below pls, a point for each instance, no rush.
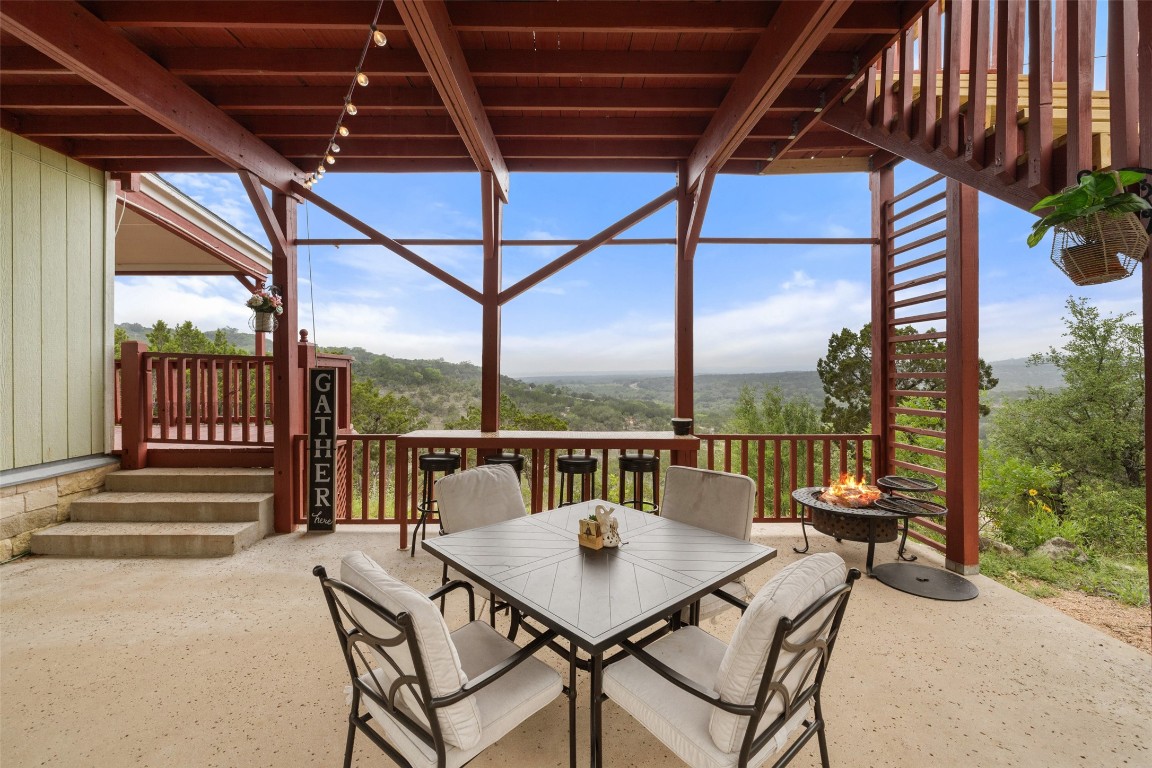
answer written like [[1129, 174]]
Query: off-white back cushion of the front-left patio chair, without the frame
[[460, 723]]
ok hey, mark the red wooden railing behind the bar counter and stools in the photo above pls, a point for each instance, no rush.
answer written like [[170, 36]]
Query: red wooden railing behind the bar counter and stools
[[777, 463]]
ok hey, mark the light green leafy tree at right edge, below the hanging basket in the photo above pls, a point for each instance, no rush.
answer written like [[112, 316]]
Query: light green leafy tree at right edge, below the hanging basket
[[1095, 427]]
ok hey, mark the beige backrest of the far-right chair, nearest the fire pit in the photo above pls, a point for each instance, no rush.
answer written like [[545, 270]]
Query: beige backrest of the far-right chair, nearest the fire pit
[[722, 503]]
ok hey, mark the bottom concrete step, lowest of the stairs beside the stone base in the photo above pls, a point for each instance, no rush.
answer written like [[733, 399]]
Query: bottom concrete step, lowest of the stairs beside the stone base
[[147, 539]]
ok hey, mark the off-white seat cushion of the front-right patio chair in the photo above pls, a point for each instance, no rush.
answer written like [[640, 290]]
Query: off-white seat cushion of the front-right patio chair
[[674, 717]]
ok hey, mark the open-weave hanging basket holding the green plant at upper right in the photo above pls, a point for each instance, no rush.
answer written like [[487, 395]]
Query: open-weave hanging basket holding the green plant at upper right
[[1100, 248]]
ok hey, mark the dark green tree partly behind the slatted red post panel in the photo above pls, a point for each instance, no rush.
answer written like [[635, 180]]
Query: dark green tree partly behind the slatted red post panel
[[846, 374]]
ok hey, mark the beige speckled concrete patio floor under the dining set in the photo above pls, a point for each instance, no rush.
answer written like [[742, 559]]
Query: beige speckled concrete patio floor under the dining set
[[234, 663]]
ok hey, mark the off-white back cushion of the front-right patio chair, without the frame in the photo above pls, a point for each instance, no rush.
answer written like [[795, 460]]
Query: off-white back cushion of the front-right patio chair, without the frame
[[793, 590]]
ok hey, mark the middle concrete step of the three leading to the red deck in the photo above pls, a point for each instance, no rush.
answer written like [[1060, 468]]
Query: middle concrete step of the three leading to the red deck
[[148, 507]]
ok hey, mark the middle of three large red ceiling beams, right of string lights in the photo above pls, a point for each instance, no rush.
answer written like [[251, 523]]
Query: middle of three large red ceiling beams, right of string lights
[[430, 28]]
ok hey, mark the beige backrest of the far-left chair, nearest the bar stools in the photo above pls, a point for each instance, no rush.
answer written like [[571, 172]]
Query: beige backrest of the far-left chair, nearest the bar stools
[[479, 497]]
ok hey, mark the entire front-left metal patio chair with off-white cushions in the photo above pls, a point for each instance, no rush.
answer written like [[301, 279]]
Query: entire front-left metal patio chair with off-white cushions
[[426, 696]]
